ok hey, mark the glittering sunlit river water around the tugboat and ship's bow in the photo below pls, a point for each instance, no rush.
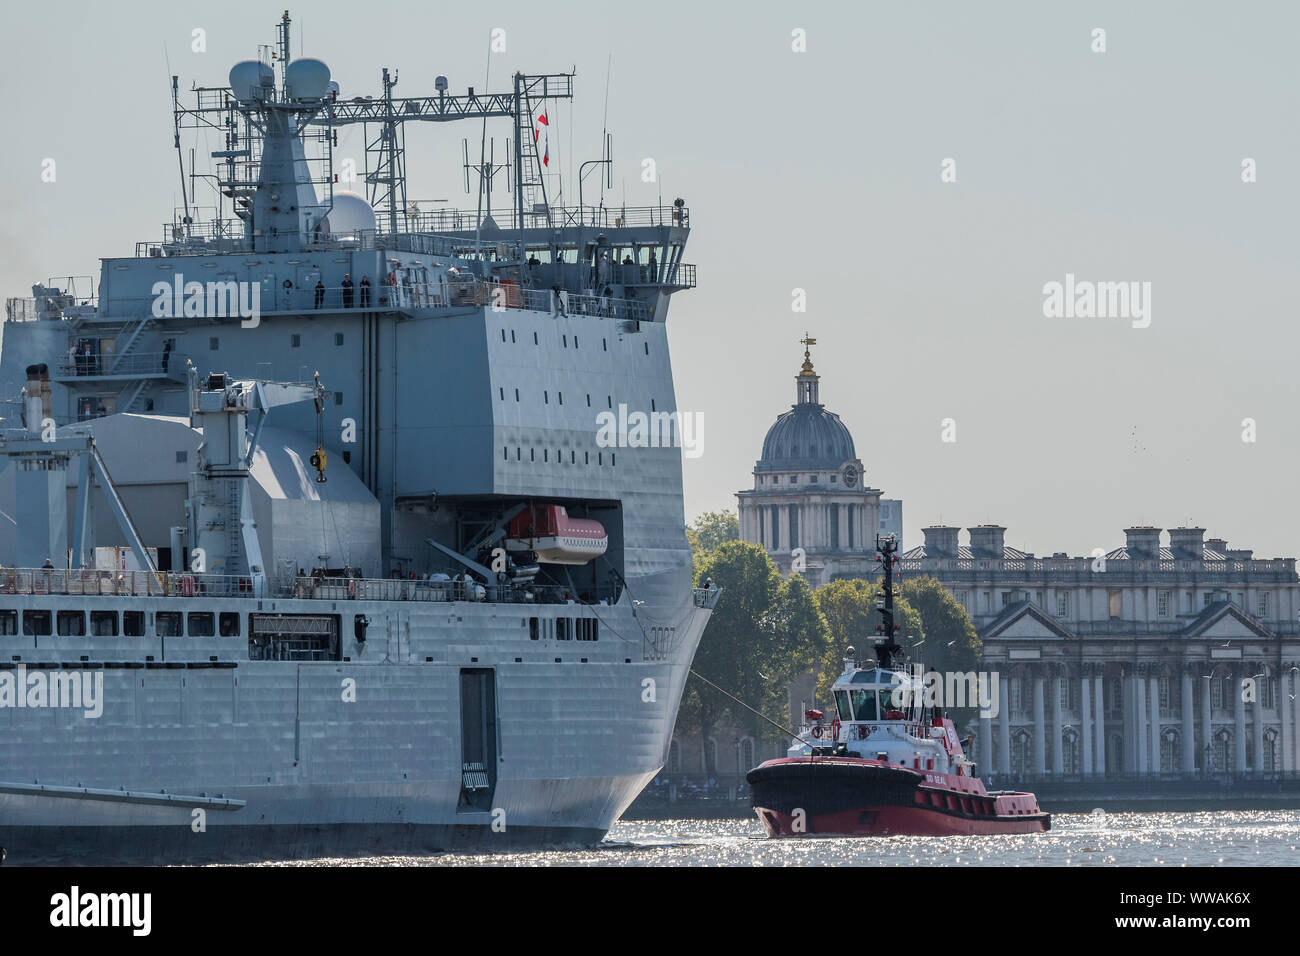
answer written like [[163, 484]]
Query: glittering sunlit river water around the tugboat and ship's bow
[[1221, 838]]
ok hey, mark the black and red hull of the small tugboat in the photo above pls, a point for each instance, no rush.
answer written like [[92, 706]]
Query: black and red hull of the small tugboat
[[860, 798]]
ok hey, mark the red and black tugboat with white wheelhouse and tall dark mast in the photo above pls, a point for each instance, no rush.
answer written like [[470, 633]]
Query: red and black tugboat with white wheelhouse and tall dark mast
[[887, 764]]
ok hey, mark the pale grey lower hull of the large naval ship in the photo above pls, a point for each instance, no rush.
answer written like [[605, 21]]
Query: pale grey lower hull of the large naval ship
[[201, 754]]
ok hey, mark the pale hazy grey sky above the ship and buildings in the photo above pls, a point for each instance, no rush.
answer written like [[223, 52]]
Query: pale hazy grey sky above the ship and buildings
[[821, 171]]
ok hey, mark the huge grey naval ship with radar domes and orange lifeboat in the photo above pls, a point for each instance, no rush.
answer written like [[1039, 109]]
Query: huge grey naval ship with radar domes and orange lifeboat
[[313, 544]]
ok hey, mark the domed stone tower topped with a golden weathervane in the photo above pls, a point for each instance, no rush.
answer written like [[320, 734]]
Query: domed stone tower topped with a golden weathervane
[[811, 505]]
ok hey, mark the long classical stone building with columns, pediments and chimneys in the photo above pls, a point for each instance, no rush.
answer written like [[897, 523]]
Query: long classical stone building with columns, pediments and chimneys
[[1145, 661]]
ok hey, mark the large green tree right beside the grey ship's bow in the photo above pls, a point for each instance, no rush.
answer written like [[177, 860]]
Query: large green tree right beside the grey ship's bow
[[762, 634]]
